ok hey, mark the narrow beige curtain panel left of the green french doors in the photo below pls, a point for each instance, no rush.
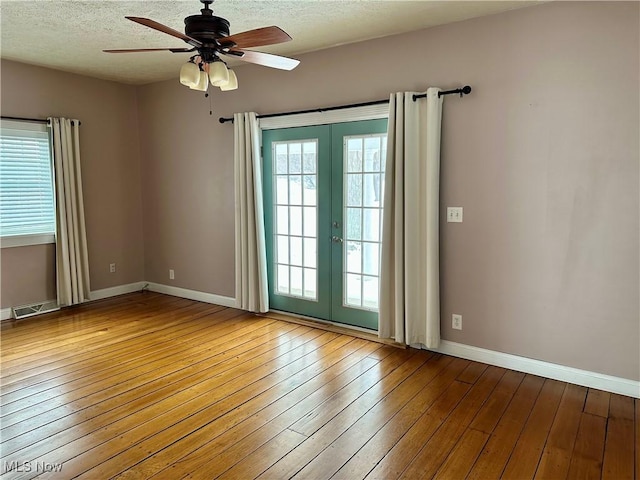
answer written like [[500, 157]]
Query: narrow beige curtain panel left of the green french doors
[[251, 258]]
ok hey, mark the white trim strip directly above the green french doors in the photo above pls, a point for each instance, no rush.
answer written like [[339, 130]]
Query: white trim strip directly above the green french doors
[[355, 114]]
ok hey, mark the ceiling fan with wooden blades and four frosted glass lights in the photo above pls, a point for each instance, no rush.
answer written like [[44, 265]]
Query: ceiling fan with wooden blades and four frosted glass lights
[[209, 37]]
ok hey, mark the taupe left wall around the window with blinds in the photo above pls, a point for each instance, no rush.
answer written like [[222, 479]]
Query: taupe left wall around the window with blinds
[[110, 162]]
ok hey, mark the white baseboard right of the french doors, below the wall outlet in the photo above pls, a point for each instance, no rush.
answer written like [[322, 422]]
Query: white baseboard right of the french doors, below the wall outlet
[[585, 378]]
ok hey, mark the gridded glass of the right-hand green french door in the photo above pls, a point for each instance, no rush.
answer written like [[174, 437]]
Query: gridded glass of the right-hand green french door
[[364, 161]]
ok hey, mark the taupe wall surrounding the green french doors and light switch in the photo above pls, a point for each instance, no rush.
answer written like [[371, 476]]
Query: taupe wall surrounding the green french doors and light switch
[[543, 155]]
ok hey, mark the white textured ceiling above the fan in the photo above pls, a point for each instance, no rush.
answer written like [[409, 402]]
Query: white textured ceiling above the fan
[[70, 35]]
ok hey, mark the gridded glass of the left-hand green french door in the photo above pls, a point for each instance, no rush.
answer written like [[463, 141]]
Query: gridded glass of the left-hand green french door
[[295, 219]]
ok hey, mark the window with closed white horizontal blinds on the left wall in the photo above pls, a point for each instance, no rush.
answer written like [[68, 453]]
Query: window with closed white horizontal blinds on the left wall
[[27, 207]]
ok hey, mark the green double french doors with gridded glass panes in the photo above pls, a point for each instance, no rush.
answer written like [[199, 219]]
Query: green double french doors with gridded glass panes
[[323, 219]]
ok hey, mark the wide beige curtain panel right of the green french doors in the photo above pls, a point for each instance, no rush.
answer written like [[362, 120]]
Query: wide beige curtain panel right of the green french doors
[[409, 283]]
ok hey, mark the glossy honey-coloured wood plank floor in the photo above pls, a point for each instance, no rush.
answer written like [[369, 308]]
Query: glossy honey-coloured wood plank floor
[[153, 386]]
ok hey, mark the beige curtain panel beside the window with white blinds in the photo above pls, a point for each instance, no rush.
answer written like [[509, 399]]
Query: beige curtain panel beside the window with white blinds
[[72, 259]]
